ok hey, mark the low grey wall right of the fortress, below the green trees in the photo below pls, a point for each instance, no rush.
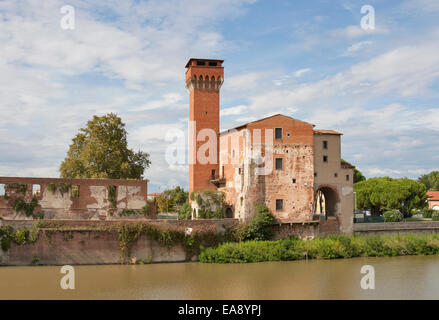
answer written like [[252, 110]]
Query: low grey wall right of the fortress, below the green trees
[[396, 228]]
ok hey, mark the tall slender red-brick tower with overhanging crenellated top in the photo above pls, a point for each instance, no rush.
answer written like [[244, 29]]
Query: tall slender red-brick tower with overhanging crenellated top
[[204, 78]]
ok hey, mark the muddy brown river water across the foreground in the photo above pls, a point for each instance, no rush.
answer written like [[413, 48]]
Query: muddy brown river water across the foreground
[[415, 277]]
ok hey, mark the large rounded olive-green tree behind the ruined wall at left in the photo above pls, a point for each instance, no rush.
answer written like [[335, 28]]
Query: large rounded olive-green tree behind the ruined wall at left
[[100, 150]]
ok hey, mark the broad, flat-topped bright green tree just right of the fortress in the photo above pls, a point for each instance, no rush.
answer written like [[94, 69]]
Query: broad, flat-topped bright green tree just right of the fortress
[[383, 194]]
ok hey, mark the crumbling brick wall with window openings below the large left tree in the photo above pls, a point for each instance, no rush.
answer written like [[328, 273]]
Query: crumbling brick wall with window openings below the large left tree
[[81, 198]]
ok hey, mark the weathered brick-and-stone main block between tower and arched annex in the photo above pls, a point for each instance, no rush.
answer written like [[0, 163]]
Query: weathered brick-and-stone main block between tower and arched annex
[[293, 183]]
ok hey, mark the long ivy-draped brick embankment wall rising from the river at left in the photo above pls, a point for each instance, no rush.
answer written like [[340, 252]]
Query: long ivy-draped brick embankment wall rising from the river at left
[[61, 242]]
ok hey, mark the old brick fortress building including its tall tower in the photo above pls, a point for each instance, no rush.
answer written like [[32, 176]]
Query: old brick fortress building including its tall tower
[[282, 162]]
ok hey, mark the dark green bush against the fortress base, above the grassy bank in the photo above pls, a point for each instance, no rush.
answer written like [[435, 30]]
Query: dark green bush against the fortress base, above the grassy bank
[[259, 227]]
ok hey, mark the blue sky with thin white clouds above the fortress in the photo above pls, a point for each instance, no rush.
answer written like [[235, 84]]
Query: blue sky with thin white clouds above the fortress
[[310, 60]]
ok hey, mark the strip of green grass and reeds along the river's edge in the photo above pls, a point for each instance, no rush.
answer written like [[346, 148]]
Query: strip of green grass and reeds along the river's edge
[[332, 247]]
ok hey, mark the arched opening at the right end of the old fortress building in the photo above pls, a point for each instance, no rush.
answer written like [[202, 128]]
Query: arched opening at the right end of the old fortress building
[[327, 201]]
